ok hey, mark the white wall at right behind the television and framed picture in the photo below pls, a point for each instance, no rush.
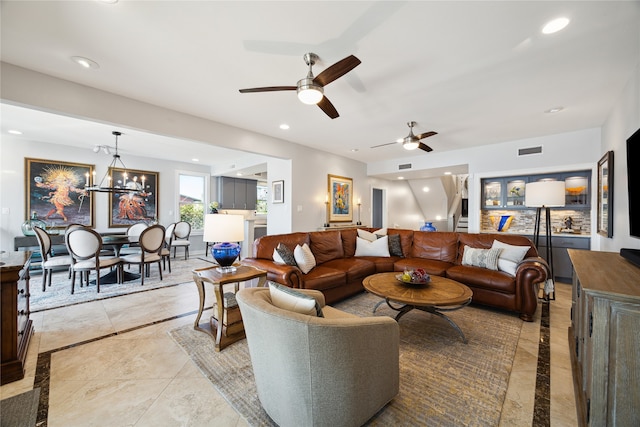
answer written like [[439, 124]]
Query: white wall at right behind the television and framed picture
[[623, 121]]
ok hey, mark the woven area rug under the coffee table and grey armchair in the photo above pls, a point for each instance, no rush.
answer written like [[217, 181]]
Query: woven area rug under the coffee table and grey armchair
[[443, 382]]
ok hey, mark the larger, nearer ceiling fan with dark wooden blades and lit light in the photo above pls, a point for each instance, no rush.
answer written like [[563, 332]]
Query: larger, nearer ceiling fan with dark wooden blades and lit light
[[311, 89]]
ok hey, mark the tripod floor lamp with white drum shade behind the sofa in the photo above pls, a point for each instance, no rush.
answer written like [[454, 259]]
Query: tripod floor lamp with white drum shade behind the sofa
[[539, 195]]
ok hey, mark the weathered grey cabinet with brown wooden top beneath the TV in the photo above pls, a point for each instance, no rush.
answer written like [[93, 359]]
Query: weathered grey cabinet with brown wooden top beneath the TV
[[604, 338]]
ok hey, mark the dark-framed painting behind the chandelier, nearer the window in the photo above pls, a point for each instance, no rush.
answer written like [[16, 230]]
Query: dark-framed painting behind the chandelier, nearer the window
[[138, 200]]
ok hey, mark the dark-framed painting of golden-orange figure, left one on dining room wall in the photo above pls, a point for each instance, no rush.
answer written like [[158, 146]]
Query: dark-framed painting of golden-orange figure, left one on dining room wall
[[54, 191]]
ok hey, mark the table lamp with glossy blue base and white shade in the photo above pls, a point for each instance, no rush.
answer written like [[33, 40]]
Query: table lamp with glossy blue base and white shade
[[226, 231]]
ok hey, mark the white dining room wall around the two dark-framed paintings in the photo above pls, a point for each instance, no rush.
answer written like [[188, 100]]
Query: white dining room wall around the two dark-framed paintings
[[14, 150]]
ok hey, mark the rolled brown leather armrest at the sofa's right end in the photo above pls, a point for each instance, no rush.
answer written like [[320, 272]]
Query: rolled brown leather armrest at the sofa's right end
[[529, 274]]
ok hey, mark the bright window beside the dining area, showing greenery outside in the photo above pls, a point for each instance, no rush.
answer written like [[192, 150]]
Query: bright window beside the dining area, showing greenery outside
[[192, 198]]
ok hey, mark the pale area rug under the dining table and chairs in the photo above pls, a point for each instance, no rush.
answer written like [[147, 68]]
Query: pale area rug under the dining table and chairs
[[59, 293]]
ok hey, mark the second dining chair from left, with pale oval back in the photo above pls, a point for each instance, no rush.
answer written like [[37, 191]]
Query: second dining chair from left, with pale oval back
[[85, 245]]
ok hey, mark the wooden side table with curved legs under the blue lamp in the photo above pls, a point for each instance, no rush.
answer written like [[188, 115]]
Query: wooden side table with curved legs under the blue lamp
[[226, 323]]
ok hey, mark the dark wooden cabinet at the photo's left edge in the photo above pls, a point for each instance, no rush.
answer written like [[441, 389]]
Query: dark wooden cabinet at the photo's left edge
[[17, 328]]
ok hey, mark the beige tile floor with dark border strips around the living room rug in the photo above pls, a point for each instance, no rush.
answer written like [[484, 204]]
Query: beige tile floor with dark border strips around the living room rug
[[142, 377]]
